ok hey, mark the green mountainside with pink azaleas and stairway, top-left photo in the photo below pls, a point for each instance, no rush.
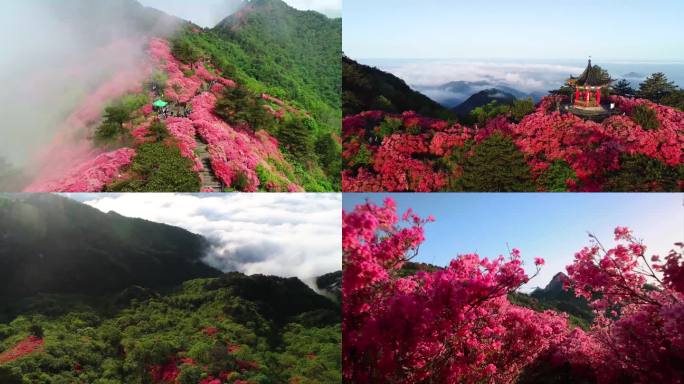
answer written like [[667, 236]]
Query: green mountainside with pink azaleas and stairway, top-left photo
[[250, 105]]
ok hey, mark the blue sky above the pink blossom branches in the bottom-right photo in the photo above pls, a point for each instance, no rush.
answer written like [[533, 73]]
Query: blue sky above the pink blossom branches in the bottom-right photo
[[552, 226]]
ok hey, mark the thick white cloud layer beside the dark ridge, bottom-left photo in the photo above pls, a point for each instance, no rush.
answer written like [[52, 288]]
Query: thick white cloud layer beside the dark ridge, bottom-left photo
[[275, 234]]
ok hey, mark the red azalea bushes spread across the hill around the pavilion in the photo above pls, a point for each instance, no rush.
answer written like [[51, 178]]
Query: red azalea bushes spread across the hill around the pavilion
[[423, 154]]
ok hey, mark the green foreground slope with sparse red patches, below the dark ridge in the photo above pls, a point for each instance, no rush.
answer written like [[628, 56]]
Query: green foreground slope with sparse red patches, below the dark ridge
[[231, 329]]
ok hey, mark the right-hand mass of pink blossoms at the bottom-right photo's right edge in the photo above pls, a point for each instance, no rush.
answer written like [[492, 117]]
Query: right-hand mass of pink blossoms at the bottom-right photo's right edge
[[638, 333]]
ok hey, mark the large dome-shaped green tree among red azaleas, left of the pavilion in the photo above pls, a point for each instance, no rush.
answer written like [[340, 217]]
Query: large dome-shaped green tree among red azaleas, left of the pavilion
[[497, 165]]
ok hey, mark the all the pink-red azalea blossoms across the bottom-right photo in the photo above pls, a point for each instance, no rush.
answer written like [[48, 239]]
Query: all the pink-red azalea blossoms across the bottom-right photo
[[428, 324]]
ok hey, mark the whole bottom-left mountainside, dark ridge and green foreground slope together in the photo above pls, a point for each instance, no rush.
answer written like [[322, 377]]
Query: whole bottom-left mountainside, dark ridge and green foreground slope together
[[93, 297]]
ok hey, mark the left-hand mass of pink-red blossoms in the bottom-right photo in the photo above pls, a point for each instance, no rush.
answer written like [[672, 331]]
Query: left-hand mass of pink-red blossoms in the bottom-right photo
[[452, 325]]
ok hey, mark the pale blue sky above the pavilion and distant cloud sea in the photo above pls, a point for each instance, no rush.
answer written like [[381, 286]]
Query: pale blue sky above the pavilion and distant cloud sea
[[531, 29]]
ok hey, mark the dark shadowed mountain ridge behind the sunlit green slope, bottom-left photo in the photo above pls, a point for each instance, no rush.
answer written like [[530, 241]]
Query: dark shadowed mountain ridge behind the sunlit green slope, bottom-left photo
[[51, 244]]
